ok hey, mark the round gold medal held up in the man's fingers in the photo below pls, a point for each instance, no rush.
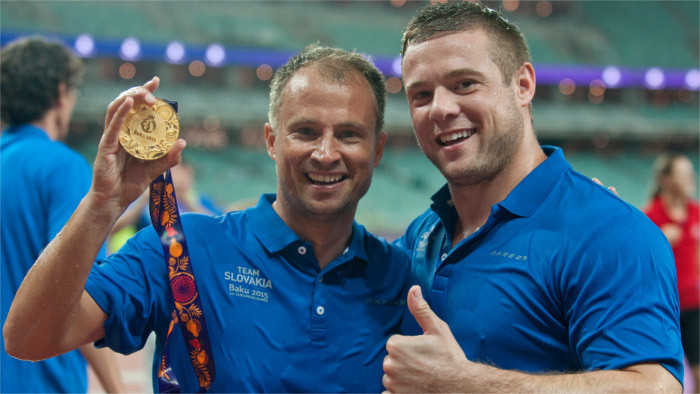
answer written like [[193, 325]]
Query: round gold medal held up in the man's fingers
[[150, 132]]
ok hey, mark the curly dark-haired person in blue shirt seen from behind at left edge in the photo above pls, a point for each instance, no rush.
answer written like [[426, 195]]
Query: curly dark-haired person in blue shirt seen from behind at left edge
[[42, 181]]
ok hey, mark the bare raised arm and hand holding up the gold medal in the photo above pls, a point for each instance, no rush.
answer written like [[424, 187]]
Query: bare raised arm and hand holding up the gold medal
[[51, 313]]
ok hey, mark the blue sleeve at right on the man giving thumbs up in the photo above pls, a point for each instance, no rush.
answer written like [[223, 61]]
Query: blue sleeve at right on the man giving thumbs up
[[620, 298]]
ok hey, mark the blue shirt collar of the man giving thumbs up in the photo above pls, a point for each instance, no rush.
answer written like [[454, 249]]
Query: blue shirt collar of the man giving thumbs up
[[527, 195]]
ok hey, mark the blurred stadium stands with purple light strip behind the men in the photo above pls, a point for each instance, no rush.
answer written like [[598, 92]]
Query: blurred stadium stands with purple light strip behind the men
[[618, 82]]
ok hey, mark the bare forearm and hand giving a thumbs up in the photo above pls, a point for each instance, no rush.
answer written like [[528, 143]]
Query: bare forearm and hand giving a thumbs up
[[434, 362]]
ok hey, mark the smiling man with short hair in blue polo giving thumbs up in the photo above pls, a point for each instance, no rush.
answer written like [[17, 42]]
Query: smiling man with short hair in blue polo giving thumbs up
[[535, 278]]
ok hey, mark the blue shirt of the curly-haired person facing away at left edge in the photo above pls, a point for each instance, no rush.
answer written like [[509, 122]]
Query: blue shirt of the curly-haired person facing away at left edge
[[41, 184]]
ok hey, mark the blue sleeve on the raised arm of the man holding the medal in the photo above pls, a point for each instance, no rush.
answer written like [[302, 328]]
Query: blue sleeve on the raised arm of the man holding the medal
[[130, 286]]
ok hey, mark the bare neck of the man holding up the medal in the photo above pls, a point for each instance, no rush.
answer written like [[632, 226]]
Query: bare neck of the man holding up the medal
[[329, 235]]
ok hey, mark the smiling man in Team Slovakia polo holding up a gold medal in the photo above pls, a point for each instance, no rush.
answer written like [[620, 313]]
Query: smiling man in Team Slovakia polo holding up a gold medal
[[294, 293]]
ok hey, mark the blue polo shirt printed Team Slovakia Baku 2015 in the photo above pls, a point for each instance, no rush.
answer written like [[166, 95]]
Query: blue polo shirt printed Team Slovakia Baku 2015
[[276, 321]]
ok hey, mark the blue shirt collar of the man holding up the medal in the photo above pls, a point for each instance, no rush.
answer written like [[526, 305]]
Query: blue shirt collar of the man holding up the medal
[[275, 234]]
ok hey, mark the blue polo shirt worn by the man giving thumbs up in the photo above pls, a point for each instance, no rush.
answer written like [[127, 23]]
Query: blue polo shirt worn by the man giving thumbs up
[[564, 276]]
